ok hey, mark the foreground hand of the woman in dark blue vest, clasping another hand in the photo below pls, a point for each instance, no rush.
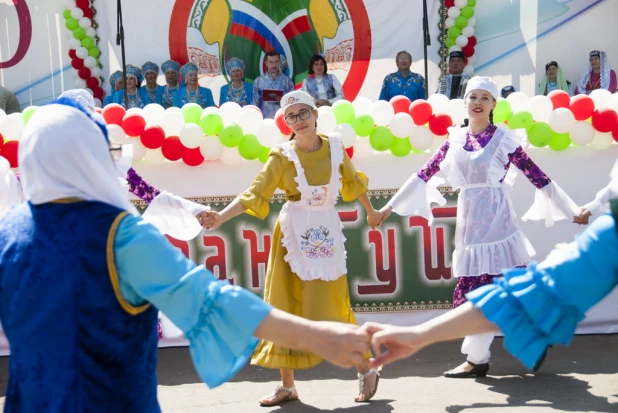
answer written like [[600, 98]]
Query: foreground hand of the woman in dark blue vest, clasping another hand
[[343, 345]]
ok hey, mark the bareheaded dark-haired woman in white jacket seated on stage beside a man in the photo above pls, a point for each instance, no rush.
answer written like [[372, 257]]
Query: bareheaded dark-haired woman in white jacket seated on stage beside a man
[[324, 88]]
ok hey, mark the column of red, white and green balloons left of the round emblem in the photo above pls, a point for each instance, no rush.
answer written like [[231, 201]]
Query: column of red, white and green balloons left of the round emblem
[[84, 52]]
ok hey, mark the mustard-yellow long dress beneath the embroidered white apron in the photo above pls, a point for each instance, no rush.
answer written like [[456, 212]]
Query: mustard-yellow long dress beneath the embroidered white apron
[[314, 300]]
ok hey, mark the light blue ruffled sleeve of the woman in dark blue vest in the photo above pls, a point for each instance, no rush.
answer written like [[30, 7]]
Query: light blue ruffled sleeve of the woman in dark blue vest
[[217, 318]]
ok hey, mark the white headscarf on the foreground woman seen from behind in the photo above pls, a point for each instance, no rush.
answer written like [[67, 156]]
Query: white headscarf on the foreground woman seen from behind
[[64, 153]]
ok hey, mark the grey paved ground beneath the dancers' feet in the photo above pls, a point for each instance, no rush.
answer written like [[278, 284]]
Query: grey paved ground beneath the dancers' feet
[[582, 378]]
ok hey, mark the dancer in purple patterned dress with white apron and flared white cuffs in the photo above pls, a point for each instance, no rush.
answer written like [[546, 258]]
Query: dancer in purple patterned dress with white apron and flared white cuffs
[[475, 160]]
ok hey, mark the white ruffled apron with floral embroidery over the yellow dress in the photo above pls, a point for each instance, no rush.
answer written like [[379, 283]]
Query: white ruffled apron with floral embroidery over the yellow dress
[[311, 226]]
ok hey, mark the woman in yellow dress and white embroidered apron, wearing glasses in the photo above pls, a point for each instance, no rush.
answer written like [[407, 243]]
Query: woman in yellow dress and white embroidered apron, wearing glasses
[[306, 273]]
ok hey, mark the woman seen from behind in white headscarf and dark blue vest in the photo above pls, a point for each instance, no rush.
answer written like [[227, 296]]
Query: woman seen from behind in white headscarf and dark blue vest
[[81, 273]]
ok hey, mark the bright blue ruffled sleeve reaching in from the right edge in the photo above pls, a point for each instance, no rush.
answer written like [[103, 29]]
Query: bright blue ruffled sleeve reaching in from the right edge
[[541, 305]]
